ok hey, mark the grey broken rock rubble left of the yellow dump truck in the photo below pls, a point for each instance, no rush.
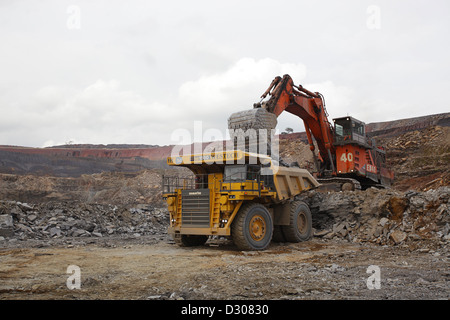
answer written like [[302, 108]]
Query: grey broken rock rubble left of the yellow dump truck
[[77, 219]]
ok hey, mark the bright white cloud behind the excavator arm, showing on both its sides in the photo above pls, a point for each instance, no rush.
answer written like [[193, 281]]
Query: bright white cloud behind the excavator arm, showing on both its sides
[[214, 98]]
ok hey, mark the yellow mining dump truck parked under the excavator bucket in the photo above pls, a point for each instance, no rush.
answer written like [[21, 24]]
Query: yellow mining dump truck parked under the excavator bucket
[[237, 194]]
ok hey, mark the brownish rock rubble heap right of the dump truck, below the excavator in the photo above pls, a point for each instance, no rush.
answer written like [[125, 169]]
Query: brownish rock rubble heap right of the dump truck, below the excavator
[[385, 217]]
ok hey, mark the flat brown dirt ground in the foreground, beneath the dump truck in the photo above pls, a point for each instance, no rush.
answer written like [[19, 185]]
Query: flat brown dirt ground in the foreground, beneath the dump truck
[[154, 268]]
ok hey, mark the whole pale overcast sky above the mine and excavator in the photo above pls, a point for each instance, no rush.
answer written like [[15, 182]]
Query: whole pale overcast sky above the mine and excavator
[[136, 71]]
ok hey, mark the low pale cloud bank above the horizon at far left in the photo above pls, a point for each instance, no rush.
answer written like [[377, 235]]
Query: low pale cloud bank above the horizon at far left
[[102, 112]]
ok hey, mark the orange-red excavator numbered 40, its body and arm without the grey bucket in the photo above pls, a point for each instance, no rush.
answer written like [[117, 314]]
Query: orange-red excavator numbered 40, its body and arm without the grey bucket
[[346, 157]]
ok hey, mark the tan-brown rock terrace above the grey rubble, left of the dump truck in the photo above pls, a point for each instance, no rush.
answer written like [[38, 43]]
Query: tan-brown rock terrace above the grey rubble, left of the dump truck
[[115, 188]]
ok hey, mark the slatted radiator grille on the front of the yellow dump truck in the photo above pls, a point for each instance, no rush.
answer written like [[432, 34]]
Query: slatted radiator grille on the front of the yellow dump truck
[[195, 208]]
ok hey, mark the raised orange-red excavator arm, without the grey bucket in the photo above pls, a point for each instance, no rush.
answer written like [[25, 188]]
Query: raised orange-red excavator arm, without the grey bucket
[[310, 107]]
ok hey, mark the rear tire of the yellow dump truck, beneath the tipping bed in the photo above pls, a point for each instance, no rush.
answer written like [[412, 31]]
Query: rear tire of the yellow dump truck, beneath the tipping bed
[[300, 223]]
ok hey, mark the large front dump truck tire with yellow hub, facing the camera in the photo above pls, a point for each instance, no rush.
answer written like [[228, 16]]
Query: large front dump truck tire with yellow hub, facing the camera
[[252, 228]]
